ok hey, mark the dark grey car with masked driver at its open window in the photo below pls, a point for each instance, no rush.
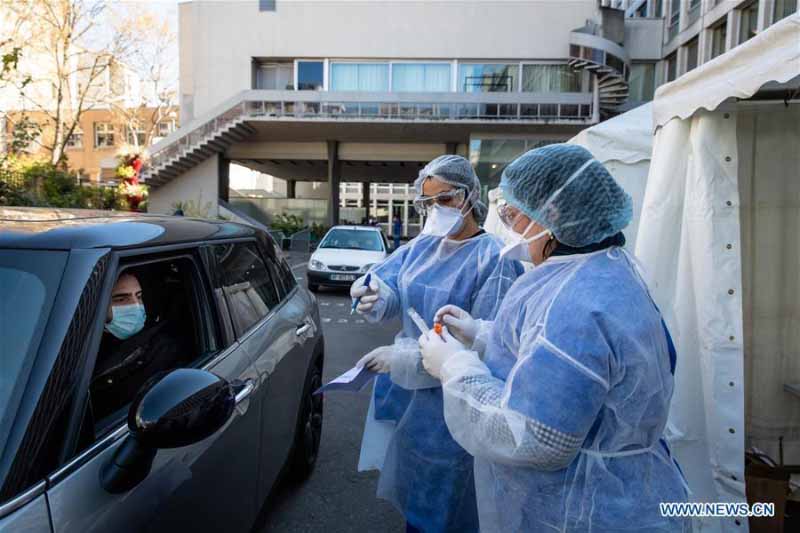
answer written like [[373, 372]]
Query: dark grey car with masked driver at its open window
[[227, 410]]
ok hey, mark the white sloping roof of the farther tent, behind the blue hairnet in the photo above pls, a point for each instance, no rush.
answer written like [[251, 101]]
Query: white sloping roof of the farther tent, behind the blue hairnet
[[627, 137]]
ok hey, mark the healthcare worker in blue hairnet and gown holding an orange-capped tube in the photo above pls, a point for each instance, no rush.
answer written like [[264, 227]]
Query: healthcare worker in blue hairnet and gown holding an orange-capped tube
[[563, 399]]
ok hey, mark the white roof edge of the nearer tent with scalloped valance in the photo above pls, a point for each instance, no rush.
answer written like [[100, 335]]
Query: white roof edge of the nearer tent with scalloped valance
[[772, 55]]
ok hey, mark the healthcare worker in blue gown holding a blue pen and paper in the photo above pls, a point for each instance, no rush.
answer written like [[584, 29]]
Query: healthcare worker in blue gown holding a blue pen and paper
[[424, 472]]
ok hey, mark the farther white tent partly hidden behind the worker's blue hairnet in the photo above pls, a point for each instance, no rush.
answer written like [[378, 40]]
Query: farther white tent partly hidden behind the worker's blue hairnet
[[623, 144]]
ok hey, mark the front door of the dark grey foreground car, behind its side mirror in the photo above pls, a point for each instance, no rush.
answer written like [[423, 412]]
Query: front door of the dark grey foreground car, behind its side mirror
[[208, 486]]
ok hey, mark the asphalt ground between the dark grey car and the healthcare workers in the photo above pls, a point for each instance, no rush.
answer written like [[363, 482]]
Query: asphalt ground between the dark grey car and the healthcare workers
[[338, 498]]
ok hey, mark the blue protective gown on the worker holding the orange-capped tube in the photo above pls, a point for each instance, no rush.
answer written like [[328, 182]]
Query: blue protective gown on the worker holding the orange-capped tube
[[566, 416]]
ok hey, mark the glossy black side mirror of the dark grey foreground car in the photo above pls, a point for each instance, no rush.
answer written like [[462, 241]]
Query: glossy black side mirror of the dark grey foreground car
[[171, 410]]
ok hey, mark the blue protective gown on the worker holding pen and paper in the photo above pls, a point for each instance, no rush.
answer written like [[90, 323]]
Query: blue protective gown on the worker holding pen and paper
[[426, 474]]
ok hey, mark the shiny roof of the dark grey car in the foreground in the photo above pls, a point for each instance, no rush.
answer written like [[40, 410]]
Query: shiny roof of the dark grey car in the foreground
[[67, 229]]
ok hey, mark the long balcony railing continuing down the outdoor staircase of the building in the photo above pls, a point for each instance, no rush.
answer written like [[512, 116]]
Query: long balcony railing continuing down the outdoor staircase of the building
[[388, 107]]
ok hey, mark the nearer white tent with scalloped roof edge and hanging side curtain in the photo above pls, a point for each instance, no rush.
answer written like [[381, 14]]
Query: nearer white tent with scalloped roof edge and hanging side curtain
[[718, 237]]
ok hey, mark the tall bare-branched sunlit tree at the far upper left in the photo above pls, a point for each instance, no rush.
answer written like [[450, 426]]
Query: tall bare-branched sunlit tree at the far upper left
[[68, 58]]
